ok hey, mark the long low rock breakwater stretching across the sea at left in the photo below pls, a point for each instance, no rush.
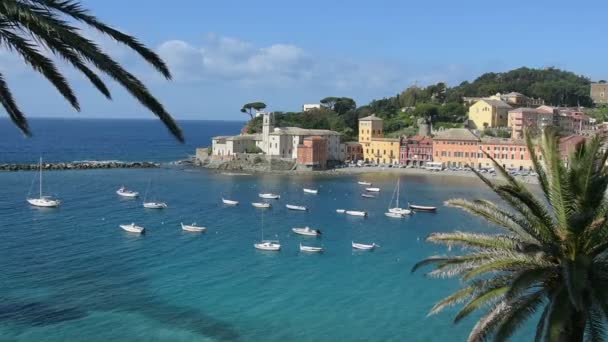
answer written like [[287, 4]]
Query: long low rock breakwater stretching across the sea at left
[[79, 165]]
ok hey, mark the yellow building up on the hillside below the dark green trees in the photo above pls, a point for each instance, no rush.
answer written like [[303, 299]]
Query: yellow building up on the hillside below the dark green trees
[[488, 113]]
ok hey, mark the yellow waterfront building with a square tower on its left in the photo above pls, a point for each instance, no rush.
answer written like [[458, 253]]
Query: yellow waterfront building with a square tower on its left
[[376, 148]]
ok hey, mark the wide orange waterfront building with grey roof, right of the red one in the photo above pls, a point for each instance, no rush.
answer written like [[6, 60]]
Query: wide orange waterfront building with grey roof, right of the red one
[[456, 147]]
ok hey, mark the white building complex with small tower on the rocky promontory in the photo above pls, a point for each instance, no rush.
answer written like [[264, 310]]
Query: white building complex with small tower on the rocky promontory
[[278, 142]]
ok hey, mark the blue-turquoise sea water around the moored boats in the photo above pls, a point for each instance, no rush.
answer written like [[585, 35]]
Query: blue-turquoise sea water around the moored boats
[[71, 274]]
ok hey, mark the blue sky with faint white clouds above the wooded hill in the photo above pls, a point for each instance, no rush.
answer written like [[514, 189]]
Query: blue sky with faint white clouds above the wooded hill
[[226, 53]]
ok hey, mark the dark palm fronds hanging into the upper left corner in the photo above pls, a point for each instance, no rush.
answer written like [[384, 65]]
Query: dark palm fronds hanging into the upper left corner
[[28, 26]]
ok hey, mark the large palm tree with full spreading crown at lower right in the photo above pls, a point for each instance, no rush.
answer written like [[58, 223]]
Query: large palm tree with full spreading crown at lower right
[[551, 259]]
